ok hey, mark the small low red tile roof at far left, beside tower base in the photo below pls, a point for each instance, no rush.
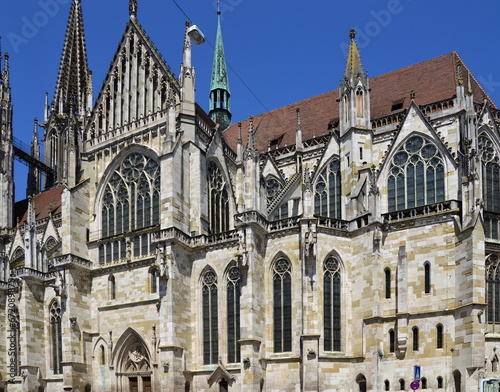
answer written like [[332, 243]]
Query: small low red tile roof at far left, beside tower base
[[45, 203]]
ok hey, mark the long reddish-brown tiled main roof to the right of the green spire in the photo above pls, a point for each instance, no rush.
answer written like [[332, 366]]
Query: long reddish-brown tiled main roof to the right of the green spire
[[432, 80]]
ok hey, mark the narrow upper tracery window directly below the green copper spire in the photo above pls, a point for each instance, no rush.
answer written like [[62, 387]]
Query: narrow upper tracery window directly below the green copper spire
[[218, 199]]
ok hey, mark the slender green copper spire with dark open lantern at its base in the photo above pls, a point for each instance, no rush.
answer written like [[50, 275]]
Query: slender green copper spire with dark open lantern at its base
[[220, 95]]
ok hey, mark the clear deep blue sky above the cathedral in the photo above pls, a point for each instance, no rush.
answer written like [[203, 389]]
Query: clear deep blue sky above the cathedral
[[285, 51]]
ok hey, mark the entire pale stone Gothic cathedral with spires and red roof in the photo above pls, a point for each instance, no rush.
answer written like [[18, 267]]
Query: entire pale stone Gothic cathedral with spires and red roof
[[348, 242]]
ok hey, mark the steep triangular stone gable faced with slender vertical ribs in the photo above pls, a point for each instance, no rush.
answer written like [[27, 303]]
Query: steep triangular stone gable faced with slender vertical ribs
[[138, 88]]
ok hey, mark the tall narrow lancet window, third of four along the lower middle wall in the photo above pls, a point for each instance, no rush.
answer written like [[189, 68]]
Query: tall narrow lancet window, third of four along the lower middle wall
[[282, 303]]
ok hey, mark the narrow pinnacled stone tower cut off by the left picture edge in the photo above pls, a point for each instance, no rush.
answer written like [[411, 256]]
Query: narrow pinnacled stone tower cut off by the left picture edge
[[6, 148]]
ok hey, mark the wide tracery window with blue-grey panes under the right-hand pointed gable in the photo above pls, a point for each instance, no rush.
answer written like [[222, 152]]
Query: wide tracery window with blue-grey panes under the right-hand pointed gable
[[416, 177]]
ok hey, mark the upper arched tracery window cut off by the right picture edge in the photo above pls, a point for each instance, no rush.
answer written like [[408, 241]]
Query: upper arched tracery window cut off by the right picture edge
[[490, 160]]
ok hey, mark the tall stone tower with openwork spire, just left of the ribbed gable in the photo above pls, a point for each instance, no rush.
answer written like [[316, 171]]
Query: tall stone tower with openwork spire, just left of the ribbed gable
[[72, 100]]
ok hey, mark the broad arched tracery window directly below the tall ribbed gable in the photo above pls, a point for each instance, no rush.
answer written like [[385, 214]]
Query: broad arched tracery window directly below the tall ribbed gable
[[131, 199]]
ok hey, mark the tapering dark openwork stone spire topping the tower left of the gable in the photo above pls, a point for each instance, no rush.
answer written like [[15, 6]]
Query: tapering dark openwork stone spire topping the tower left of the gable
[[71, 87]]
